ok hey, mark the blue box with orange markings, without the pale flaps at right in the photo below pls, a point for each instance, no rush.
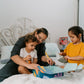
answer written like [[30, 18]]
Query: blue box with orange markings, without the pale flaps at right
[[48, 71]]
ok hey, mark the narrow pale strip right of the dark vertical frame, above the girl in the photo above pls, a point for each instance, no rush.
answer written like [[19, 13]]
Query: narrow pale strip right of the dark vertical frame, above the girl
[[81, 13]]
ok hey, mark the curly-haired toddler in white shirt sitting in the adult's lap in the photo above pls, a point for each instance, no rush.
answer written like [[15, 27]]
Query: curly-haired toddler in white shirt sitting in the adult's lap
[[29, 54]]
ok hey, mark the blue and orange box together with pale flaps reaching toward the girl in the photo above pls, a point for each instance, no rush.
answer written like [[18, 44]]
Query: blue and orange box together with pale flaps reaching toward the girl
[[55, 71]]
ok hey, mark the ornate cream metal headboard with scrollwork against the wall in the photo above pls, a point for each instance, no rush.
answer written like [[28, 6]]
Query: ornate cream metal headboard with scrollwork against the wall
[[10, 35]]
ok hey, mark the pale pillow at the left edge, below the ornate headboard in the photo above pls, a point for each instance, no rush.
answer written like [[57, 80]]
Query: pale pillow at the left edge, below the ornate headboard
[[5, 53]]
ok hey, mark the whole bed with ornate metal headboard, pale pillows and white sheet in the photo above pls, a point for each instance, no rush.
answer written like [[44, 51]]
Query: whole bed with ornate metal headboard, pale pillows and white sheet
[[9, 36]]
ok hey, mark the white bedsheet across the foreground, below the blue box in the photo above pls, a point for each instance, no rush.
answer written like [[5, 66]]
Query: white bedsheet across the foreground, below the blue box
[[69, 78]]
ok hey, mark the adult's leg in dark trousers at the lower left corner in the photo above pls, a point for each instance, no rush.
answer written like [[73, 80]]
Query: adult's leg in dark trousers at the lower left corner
[[8, 70]]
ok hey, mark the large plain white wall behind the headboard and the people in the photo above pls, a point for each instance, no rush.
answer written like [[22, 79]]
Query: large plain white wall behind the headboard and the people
[[55, 15]]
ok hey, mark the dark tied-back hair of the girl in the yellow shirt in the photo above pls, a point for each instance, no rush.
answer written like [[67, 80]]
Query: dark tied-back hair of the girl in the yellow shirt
[[76, 30]]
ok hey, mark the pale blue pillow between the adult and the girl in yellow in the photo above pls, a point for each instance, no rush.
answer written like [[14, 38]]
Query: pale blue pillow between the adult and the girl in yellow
[[52, 49]]
